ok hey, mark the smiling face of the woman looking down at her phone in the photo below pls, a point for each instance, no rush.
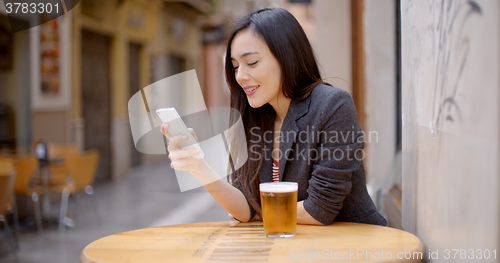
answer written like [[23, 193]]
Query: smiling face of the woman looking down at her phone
[[256, 69]]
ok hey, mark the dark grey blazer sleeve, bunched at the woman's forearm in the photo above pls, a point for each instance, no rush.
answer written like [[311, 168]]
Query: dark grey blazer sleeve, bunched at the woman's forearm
[[338, 155]]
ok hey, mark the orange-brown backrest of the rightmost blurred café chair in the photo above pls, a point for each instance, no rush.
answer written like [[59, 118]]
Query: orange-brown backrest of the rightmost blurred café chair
[[82, 168]]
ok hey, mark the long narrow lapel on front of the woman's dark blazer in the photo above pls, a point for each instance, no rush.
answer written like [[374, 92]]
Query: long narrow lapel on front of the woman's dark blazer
[[289, 130]]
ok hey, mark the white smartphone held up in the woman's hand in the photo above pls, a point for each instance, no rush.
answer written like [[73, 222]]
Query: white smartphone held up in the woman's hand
[[178, 127]]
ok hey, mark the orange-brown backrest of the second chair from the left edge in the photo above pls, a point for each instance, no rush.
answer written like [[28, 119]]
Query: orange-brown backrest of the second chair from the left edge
[[25, 167]]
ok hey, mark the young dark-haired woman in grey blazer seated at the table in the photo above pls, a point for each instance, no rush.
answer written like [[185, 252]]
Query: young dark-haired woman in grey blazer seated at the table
[[304, 130]]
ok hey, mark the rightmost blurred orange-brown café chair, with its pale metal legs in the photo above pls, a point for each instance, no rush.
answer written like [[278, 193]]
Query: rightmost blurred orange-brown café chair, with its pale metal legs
[[82, 168]]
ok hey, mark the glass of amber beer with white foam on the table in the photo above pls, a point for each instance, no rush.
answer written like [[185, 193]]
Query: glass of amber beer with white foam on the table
[[279, 208]]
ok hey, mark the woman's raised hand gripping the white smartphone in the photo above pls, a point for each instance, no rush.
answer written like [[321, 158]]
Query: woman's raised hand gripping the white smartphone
[[181, 159]]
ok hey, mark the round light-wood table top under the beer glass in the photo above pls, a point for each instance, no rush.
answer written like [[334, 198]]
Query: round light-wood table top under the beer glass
[[245, 242]]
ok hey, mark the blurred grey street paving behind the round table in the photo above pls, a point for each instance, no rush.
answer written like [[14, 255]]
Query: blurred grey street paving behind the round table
[[148, 196]]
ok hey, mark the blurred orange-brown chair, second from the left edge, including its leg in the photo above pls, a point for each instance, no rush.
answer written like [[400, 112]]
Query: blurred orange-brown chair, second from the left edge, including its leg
[[26, 167]]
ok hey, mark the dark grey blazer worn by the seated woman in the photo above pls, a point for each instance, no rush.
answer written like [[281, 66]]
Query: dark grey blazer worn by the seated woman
[[321, 148]]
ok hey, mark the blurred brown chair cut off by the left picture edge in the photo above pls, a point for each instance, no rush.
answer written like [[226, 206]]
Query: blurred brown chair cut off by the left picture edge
[[7, 176]]
